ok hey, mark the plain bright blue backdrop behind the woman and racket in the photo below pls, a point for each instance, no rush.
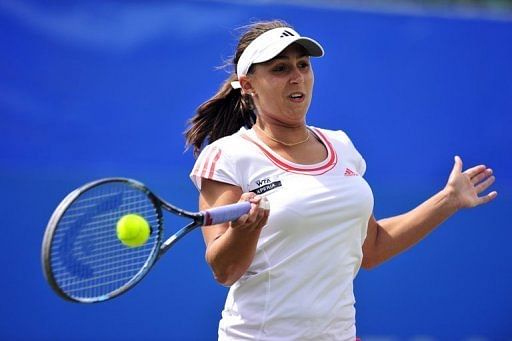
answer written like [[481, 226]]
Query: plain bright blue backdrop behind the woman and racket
[[104, 88]]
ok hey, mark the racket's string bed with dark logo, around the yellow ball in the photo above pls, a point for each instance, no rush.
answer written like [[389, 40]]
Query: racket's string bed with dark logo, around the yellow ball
[[88, 260]]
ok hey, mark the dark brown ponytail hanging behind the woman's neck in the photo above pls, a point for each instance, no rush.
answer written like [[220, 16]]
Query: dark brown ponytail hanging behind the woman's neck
[[222, 115]]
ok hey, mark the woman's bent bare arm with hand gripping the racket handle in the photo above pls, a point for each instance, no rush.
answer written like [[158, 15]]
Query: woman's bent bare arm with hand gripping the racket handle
[[230, 247]]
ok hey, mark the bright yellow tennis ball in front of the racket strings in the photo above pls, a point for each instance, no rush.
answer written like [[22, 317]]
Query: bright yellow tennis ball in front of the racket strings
[[133, 230]]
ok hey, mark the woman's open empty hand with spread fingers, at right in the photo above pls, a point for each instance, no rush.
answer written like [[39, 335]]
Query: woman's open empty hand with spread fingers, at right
[[464, 187]]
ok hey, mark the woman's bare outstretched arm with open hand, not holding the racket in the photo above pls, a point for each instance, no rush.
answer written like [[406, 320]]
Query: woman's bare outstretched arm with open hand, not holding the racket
[[388, 237]]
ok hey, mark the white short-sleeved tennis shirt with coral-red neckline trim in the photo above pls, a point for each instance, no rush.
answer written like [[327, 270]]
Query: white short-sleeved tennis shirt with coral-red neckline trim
[[299, 285]]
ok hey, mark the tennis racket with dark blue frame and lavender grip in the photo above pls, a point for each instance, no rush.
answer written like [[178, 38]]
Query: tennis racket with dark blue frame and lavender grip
[[84, 261]]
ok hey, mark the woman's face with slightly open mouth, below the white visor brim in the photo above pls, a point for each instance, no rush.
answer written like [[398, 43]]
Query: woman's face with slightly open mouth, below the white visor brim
[[282, 87]]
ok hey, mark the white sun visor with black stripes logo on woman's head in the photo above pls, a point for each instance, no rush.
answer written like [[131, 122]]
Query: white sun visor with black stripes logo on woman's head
[[270, 44]]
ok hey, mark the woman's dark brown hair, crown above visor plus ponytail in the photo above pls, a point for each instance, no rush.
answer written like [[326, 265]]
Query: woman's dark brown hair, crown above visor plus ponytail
[[227, 111]]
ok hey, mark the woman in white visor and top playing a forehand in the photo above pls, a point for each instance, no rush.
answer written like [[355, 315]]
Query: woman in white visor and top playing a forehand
[[290, 269]]
